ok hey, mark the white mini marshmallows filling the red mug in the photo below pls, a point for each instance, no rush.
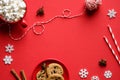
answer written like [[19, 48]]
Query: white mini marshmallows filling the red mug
[[12, 10]]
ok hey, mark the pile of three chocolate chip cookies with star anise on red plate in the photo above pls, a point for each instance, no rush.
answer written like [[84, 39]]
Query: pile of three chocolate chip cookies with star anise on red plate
[[53, 71]]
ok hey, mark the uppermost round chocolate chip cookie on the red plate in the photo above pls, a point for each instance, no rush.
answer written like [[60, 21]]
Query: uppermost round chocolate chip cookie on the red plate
[[54, 68]]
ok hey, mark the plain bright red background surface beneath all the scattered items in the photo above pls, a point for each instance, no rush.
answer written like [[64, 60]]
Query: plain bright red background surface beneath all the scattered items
[[77, 43]]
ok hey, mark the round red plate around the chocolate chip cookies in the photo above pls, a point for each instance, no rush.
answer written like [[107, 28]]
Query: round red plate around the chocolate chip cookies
[[38, 68]]
